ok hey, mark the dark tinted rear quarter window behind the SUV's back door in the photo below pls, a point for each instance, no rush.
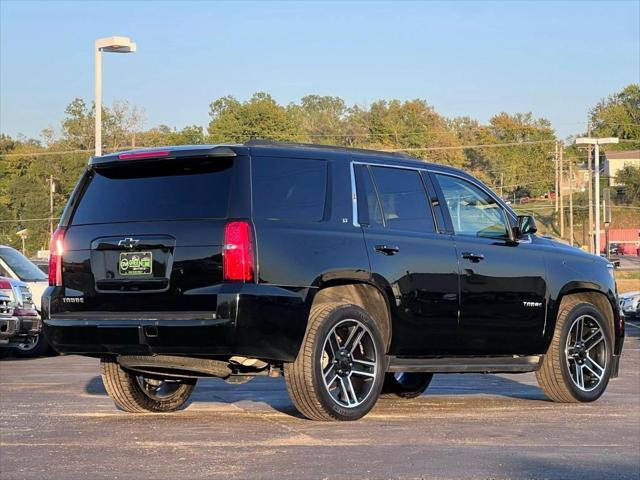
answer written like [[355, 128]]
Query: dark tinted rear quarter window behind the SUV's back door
[[289, 188]]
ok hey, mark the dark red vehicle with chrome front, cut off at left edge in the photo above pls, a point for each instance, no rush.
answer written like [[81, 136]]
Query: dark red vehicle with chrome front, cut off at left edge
[[20, 324]]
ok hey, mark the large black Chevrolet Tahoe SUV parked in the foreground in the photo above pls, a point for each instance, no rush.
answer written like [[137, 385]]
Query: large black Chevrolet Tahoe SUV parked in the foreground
[[353, 273]]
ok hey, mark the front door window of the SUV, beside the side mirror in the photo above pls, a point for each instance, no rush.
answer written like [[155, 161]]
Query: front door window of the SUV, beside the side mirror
[[473, 212]]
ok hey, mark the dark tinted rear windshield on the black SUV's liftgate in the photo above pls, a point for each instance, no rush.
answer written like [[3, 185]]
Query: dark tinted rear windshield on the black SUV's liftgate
[[153, 191]]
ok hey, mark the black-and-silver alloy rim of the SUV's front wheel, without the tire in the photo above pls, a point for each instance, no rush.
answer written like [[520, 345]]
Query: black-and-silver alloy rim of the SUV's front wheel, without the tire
[[586, 353]]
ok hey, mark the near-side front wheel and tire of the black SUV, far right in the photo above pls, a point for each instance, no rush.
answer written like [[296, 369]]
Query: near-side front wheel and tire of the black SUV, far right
[[557, 373]]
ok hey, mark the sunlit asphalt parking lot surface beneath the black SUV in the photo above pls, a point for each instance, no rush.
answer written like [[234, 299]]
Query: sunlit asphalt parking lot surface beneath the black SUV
[[58, 423]]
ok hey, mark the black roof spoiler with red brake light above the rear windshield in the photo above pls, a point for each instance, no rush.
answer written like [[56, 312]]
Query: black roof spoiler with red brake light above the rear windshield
[[162, 153]]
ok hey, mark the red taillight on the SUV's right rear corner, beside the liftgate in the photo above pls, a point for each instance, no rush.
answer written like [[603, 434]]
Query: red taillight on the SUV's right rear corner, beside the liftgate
[[237, 257]]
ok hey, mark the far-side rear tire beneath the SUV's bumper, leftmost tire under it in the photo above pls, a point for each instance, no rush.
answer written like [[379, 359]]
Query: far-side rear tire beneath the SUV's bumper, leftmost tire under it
[[126, 389]]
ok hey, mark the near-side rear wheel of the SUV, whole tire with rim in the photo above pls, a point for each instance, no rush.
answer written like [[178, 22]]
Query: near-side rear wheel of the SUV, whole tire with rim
[[304, 377]]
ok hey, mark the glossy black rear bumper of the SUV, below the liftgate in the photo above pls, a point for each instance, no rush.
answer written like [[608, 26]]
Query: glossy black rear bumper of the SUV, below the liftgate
[[259, 321]]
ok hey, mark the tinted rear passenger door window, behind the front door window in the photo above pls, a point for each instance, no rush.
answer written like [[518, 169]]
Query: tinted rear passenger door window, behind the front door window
[[403, 198]]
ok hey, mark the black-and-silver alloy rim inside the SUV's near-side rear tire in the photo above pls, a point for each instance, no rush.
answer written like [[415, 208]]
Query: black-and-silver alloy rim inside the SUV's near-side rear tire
[[349, 363]]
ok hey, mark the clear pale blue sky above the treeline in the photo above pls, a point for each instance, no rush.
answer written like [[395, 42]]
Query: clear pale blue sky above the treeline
[[555, 59]]
